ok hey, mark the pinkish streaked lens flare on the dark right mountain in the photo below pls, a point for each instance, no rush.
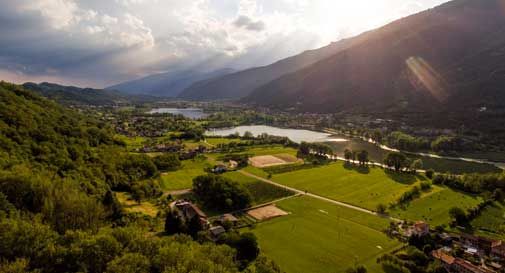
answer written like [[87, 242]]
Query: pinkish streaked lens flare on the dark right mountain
[[426, 75]]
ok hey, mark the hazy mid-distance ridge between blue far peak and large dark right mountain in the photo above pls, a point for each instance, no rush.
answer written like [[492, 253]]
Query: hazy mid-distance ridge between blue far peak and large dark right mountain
[[241, 84]]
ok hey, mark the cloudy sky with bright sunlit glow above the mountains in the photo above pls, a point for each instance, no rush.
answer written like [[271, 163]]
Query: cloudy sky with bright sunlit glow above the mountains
[[97, 43]]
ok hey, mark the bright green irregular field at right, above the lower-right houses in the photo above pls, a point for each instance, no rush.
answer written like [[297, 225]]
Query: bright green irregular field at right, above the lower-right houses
[[434, 207]]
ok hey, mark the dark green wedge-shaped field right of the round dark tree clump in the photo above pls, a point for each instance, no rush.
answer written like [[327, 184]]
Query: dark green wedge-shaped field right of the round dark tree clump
[[262, 192]]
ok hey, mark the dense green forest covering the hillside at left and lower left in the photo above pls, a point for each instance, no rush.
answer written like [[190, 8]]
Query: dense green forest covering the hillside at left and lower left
[[58, 209]]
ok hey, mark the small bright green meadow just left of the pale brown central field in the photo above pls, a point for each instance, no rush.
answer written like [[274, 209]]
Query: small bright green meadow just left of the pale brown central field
[[183, 178]]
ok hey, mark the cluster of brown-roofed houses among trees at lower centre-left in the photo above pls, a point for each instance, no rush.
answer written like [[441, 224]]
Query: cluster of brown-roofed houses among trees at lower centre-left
[[186, 210]]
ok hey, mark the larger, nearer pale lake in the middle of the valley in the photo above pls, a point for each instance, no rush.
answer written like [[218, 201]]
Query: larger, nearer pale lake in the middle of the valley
[[295, 135]]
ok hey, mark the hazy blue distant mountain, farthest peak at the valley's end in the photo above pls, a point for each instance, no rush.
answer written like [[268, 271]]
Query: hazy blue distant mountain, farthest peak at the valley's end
[[169, 84]]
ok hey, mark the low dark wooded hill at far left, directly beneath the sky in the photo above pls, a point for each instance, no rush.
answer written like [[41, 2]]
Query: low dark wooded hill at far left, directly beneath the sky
[[70, 95]]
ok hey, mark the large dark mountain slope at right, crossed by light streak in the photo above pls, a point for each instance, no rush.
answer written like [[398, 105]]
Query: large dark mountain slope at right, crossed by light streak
[[451, 57]]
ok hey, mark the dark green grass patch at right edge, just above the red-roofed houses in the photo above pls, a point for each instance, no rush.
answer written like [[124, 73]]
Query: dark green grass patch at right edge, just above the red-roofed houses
[[491, 222]]
